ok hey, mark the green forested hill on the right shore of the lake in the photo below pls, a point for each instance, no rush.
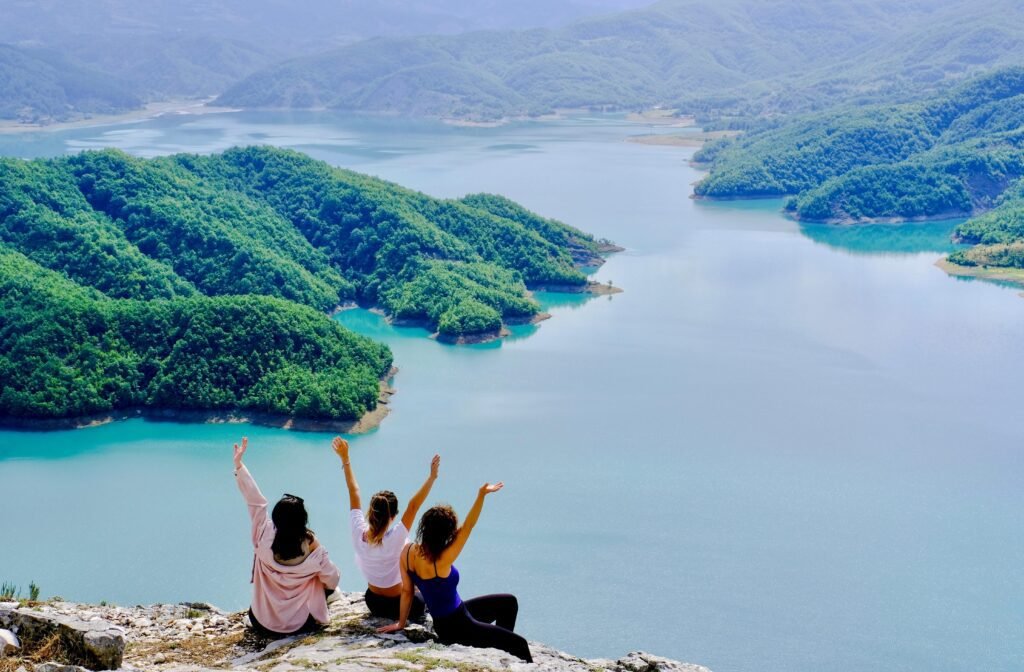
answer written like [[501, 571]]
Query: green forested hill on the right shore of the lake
[[960, 154]]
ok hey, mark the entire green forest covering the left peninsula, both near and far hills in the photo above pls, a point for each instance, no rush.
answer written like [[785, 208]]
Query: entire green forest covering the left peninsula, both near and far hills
[[204, 282]]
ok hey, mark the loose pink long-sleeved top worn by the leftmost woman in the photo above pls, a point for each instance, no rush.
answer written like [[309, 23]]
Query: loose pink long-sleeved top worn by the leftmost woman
[[284, 596]]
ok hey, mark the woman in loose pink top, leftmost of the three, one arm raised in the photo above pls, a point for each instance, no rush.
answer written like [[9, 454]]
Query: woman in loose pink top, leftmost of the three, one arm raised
[[292, 574]]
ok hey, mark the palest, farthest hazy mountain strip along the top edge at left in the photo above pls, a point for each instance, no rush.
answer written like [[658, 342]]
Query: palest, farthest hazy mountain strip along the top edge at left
[[286, 26]]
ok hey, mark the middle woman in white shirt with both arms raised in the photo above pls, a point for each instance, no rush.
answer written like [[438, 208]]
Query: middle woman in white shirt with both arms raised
[[378, 543]]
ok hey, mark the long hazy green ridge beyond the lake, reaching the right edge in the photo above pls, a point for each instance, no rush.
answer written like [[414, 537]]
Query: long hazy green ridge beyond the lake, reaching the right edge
[[745, 56]]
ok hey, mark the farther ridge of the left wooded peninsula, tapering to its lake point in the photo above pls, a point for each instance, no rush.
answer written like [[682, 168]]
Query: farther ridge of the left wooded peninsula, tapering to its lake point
[[403, 250]]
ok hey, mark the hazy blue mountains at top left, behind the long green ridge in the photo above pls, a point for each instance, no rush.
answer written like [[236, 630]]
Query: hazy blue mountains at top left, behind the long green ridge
[[172, 49]]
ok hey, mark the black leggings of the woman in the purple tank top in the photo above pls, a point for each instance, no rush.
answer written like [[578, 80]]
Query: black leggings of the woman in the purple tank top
[[472, 625]]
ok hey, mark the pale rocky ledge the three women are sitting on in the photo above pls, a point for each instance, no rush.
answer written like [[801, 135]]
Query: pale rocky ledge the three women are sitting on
[[198, 638]]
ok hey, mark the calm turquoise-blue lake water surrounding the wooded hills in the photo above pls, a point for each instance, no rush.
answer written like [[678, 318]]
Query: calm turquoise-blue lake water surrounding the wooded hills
[[784, 448]]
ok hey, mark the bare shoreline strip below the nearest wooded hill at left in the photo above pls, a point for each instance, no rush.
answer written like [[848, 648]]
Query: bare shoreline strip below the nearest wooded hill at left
[[370, 421]]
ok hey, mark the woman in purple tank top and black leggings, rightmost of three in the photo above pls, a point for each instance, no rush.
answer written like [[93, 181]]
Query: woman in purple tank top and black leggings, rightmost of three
[[487, 622]]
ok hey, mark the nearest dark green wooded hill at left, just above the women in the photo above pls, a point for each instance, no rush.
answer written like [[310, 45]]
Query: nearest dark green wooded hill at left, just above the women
[[68, 351]]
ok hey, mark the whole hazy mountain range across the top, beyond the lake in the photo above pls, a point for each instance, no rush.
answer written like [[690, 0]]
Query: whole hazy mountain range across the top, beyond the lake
[[728, 61]]
